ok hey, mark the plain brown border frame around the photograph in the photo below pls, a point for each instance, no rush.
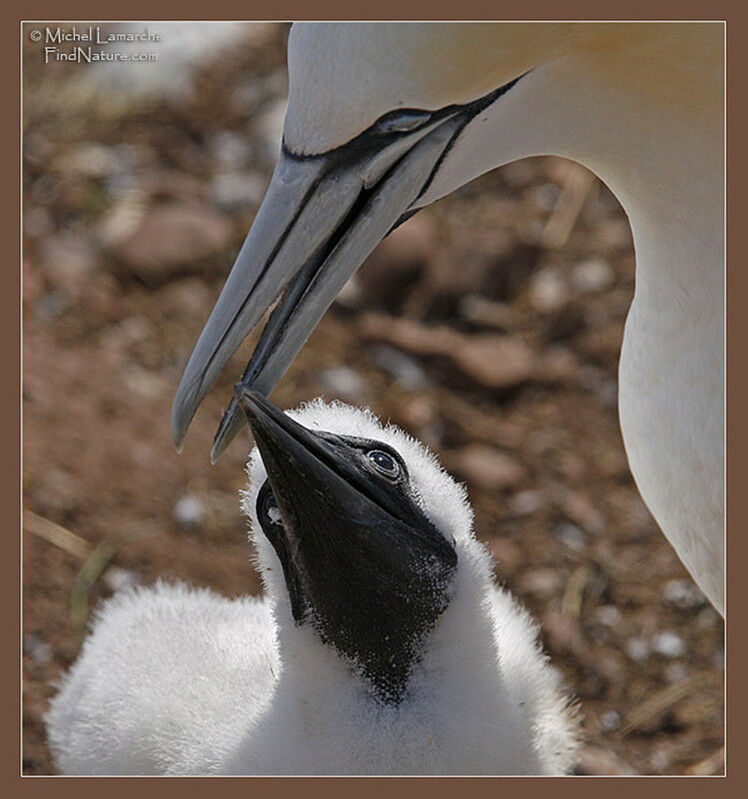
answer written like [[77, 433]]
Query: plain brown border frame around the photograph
[[10, 752]]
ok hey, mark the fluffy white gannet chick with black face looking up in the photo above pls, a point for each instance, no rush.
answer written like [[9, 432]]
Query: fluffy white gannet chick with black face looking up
[[382, 644]]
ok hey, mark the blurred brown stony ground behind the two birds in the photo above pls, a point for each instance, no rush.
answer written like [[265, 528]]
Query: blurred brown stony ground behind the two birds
[[489, 326]]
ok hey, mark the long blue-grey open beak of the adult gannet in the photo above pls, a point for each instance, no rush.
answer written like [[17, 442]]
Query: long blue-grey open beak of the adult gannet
[[321, 217]]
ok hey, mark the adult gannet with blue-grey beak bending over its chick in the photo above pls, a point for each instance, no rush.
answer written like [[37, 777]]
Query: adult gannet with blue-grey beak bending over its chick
[[386, 118]]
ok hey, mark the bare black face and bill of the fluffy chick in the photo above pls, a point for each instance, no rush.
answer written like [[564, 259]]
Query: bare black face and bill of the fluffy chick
[[362, 563]]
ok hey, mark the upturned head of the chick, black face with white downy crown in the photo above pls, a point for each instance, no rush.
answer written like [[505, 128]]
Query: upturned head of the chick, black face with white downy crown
[[362, 524]]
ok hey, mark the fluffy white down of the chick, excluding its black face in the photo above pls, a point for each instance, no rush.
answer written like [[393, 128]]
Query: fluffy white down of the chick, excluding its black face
[[180, 681]]
